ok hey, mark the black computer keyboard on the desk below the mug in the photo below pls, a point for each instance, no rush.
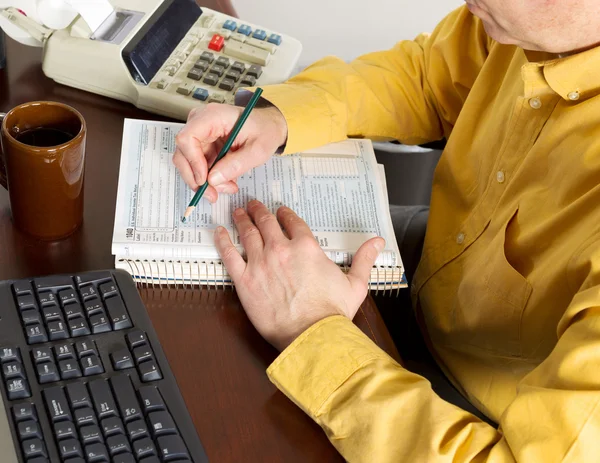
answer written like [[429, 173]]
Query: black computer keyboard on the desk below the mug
[[84, 378]]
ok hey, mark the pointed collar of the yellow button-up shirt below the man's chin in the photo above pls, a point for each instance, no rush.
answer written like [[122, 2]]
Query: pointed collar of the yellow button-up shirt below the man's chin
[[574, 77]]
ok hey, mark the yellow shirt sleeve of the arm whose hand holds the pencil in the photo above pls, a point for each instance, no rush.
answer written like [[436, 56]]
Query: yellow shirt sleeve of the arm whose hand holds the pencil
[[411, 93]]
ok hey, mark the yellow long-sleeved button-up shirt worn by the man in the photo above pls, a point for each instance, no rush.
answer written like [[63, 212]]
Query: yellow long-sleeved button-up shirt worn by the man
[[508, 287]]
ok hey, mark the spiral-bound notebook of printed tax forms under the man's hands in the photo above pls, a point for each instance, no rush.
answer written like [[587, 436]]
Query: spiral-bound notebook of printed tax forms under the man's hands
[[338, 189]]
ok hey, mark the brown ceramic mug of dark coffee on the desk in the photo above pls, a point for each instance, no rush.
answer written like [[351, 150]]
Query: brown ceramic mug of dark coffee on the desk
[[42, 167]]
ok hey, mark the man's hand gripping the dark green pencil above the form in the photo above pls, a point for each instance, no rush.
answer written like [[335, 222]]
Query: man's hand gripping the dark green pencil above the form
[[204, 134]]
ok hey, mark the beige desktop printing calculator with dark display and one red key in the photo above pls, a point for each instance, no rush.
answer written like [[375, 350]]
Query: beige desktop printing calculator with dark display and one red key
[[164, 56]]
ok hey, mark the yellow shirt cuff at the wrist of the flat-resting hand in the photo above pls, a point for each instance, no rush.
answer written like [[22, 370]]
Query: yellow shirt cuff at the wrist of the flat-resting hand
[[320, 360]]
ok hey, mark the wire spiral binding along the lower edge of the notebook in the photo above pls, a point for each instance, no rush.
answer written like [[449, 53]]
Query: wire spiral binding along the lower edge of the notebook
[[212, 273]]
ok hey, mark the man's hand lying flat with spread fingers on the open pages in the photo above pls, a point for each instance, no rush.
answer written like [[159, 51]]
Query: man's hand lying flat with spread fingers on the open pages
[[288, 283]]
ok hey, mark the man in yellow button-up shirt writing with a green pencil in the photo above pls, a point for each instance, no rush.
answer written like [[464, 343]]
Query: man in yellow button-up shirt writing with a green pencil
[[508, 286]]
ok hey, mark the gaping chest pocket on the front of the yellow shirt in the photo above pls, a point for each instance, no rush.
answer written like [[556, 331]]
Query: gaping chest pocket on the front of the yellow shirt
[[491, 298]]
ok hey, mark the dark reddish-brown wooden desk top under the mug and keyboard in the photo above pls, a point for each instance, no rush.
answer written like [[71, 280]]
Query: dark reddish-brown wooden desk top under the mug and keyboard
[[218, 358]]
